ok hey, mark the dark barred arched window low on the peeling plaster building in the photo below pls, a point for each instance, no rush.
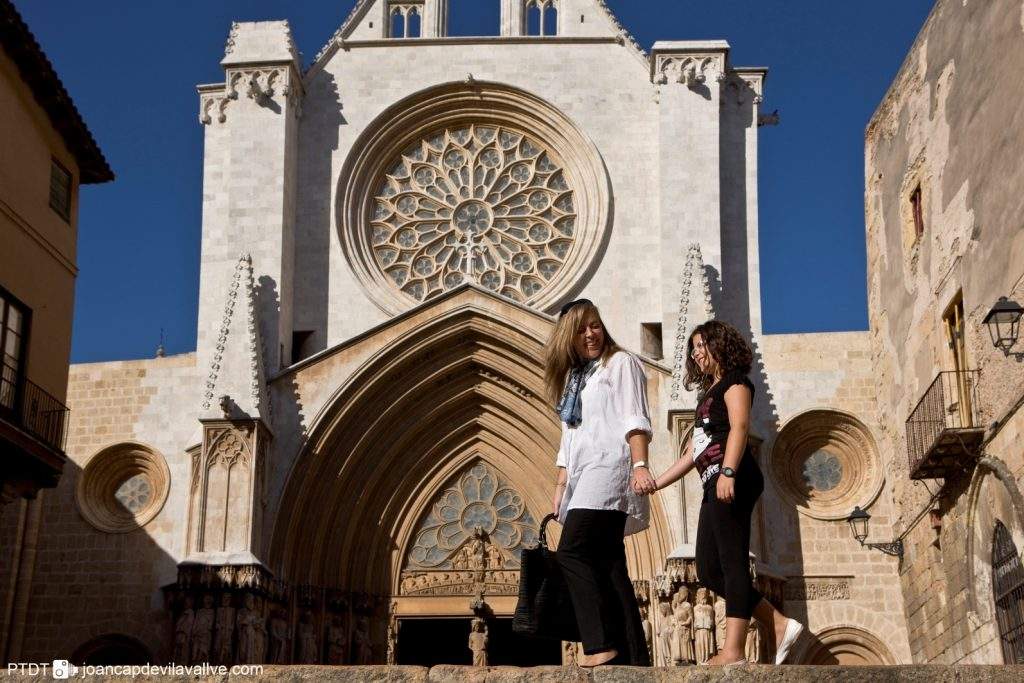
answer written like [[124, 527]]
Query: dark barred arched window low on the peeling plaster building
[[1008, 591]]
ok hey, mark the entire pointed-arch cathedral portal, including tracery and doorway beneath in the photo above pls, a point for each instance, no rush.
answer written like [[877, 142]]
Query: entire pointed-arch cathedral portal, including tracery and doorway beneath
[[459, 397]]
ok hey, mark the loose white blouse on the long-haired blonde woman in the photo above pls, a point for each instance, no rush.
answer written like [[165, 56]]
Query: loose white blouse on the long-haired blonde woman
[[596, 455]]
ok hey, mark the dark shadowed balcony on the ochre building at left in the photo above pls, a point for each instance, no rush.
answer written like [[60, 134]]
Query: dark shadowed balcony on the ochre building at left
[[33, 432]]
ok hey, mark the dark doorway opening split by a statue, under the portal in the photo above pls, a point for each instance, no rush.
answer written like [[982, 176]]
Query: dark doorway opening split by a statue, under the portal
[[429, 643]]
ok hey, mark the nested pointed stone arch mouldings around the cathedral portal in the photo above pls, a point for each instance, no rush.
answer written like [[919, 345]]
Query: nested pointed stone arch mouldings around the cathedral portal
[[466, 383]]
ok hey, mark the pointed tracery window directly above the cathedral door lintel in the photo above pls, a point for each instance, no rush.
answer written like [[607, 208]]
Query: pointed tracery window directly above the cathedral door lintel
[[479, 501]]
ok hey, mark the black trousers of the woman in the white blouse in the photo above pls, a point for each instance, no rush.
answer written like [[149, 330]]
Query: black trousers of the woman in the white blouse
[[592, 557]]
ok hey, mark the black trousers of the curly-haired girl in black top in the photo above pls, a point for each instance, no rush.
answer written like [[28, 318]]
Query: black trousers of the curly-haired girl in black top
[[724, 541]]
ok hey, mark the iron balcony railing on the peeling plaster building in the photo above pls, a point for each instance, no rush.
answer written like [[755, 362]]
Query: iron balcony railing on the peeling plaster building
[[949, 408]]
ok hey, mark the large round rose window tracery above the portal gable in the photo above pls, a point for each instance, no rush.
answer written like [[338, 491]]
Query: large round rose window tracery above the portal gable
[[483, 204]]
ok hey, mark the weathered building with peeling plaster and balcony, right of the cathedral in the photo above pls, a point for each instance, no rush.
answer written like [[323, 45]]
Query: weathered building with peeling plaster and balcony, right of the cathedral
[[945, 244]]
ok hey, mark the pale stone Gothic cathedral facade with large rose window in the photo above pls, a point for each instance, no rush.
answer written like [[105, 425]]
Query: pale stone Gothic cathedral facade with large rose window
[[347, 467]]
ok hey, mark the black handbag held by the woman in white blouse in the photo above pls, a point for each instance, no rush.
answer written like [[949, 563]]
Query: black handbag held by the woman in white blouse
[[544, 609]]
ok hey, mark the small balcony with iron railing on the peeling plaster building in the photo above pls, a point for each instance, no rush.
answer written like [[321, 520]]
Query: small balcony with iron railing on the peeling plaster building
[[945, 431]]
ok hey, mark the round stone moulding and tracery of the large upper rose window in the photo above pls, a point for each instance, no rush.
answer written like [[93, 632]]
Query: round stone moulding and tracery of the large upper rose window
[[457, 108]]
